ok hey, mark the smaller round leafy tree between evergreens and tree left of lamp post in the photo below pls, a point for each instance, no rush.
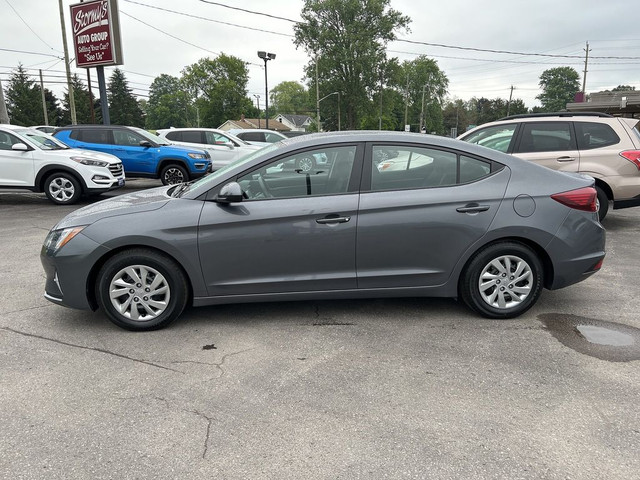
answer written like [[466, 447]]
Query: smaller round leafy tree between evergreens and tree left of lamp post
[[169, 104]]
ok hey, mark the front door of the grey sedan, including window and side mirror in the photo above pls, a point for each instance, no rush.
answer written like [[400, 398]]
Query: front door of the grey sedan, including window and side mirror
[[295, 232]]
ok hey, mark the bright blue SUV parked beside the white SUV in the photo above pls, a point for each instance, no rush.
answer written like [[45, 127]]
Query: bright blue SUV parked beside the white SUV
[[142, 153]]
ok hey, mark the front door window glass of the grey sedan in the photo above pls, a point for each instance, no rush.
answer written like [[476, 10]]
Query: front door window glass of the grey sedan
[[286, 178]]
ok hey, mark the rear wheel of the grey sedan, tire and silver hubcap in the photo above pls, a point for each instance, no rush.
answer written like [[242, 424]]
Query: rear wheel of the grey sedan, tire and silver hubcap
[[501, 297]]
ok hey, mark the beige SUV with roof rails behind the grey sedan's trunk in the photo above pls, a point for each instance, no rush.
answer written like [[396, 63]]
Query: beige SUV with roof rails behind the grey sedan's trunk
[[605, 147]]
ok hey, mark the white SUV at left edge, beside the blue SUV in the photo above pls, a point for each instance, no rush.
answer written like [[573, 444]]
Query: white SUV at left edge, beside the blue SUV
[[32, 160]]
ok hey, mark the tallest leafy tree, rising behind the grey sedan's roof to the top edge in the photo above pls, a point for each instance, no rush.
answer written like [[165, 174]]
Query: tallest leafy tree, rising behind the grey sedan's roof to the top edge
[[346, 40]]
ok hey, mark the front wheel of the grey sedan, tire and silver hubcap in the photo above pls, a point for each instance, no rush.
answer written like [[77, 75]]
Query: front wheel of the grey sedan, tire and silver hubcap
[[136, 274]]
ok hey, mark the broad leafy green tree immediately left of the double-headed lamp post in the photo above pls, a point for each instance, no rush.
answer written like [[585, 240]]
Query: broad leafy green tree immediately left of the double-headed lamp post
[[218, 88]]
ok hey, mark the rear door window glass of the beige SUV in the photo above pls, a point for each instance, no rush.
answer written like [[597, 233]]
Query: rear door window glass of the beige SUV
[[546, 137]]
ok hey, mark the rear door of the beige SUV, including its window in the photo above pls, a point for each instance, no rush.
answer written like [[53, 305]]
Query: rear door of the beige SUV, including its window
[[551, 144]]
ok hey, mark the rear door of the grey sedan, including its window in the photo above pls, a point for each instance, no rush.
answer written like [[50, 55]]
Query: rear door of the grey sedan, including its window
[[419, 214]]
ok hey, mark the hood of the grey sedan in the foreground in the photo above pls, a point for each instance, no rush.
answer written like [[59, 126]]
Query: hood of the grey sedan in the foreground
[[143, 201]]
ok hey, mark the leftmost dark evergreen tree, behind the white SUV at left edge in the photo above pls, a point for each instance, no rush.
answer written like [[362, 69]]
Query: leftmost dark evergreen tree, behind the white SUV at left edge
[[23, 98]]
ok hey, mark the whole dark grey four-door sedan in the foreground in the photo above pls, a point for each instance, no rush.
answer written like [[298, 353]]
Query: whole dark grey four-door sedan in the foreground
[[476, 224]]
